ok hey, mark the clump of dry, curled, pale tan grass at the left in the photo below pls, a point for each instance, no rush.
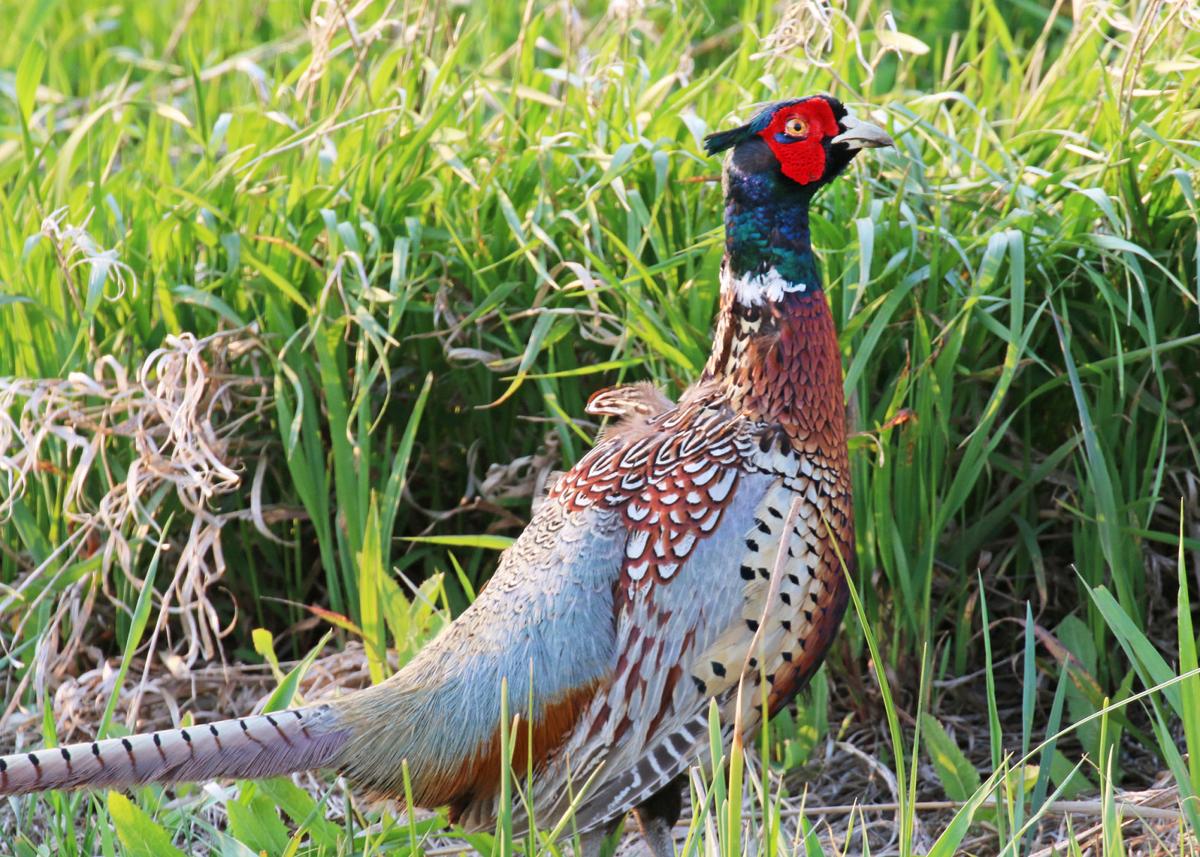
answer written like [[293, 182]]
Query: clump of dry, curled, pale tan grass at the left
[[182, 424]]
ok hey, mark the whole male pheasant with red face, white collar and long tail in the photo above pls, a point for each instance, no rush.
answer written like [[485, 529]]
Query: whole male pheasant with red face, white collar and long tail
[[698, 547]]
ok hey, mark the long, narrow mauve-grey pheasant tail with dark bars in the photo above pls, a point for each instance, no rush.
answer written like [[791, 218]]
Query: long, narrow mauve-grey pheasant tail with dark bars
[[244, 748]]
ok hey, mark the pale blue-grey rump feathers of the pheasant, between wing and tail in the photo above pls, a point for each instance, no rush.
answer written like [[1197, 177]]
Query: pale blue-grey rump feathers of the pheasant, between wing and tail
[[544, 624]]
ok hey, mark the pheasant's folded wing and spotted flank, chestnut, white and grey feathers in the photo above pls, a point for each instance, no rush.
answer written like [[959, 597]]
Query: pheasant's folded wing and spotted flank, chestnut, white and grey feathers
[[706, 525]]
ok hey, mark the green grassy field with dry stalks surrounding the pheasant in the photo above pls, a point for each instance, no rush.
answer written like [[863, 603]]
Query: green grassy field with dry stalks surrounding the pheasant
[[301, 305]]
